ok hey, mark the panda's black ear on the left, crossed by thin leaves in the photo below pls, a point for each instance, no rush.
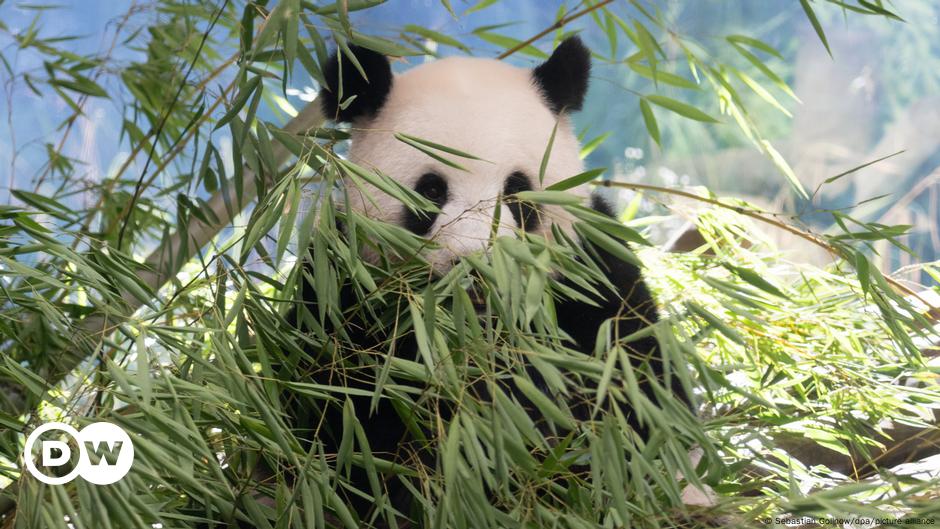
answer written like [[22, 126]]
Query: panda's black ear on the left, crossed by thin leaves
[[370, 91]]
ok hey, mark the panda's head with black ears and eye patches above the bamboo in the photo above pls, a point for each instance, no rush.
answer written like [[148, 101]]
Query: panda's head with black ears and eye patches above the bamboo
[[500, 113]]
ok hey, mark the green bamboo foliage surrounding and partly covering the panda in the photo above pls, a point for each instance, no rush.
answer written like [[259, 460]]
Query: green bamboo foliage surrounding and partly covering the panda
[[194, 349]]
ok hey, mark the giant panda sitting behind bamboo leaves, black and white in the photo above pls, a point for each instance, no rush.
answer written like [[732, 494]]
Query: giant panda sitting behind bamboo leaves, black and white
[[506, 116]]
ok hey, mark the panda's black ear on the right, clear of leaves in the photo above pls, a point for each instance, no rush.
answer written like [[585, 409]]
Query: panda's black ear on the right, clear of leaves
[[563, 78]]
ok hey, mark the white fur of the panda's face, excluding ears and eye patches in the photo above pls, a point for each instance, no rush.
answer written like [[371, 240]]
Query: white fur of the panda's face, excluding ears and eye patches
[[480, 106]]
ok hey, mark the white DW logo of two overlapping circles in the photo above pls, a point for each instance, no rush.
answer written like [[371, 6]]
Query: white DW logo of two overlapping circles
[[105, 453]]
